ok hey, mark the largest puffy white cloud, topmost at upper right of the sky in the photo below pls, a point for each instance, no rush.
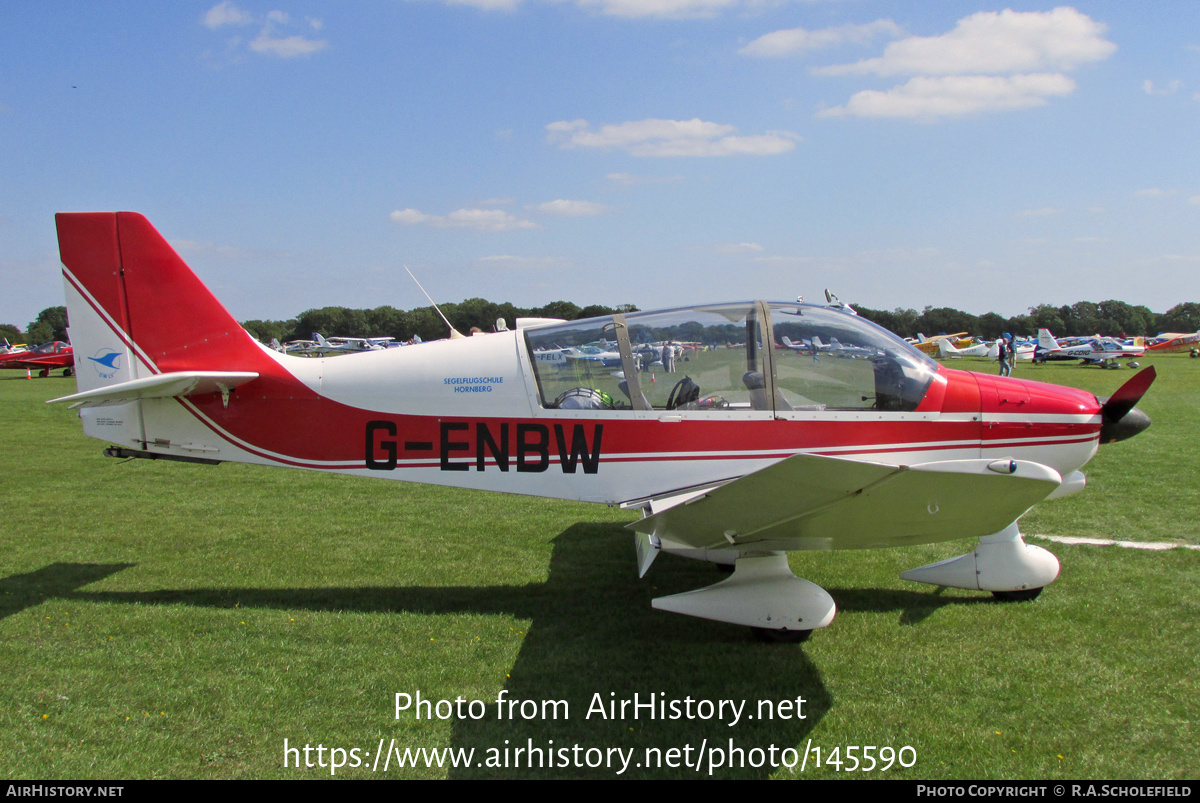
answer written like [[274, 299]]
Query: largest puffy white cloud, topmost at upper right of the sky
[[994, 43]]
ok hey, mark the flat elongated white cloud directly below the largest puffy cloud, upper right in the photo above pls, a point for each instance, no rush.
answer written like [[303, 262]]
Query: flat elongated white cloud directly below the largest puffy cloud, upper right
[[951, 97]]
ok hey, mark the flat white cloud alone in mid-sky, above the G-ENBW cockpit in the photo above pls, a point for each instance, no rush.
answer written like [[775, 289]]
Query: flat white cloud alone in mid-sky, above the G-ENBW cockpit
[[670, 139]]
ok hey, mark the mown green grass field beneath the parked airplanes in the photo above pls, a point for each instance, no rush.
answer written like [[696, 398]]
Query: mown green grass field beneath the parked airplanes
[[173, 621]]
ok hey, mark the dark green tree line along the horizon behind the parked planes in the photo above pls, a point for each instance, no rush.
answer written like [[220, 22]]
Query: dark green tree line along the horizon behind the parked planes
[[1081, 319]]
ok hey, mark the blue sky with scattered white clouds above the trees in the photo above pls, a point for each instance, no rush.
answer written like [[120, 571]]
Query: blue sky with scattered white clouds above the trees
[[659, 153]]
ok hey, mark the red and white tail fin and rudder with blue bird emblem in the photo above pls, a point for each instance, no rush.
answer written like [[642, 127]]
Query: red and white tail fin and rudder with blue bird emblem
[[137, 311]]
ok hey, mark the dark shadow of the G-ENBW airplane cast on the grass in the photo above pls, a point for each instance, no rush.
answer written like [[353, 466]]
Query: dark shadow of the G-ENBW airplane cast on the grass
[[631, 650]]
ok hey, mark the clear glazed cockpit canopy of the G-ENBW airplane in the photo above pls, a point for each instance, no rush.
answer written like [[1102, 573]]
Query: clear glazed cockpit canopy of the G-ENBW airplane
[[751, 357]]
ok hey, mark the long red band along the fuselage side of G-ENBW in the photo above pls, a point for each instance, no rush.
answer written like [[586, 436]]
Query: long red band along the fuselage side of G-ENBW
[[322, 434]]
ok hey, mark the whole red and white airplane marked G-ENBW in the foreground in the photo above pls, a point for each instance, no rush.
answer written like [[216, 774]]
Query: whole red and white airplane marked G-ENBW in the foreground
[[743, 459]]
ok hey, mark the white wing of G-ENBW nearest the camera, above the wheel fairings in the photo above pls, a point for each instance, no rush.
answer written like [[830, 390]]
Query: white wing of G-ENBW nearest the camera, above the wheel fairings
[[812, 502]]
